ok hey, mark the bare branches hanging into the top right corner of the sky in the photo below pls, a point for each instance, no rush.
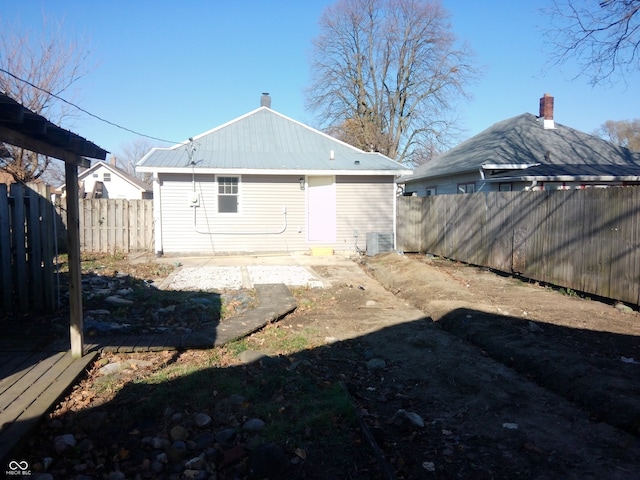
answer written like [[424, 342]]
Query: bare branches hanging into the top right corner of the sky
[[603, 36]]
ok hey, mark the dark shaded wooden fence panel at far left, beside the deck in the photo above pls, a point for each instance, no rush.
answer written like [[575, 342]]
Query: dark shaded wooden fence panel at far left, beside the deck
[[27, 249]]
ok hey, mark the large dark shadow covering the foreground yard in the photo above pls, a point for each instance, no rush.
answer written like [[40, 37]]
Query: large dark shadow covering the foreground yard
[[472, 396]]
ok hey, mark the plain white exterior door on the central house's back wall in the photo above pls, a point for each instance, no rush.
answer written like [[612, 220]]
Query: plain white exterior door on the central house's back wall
[[321, 209]]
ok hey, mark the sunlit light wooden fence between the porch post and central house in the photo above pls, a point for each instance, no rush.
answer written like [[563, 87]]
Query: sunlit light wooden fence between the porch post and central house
[[114, 225]]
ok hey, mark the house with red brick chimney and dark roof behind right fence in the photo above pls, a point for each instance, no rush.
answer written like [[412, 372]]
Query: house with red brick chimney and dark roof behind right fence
[[527, 153]]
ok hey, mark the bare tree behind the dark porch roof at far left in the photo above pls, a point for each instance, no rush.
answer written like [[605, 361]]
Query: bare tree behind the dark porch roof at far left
[[34, 69]]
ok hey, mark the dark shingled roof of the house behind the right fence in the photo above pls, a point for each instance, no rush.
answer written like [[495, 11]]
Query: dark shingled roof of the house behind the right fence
[[523, 140]]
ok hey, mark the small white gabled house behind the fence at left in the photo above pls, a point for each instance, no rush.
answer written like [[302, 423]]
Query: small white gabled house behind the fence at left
[[105, 180]]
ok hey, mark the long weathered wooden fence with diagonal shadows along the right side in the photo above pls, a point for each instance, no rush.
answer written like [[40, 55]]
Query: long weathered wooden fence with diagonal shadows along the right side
[[584, 240]]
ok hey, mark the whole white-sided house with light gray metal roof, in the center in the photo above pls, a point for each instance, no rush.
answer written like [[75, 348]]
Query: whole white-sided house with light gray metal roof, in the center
[[266, 183]]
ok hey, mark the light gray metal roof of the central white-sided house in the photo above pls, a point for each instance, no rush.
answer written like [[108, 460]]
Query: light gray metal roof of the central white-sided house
[[264, 140]]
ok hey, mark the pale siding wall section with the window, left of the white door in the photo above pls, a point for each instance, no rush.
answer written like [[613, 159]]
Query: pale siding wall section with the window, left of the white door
[[253, 229]]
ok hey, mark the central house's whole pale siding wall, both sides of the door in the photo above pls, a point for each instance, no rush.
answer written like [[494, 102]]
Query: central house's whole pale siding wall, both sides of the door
[[363, 204]]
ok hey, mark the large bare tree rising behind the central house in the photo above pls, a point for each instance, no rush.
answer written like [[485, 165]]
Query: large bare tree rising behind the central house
[[387, 73]]
